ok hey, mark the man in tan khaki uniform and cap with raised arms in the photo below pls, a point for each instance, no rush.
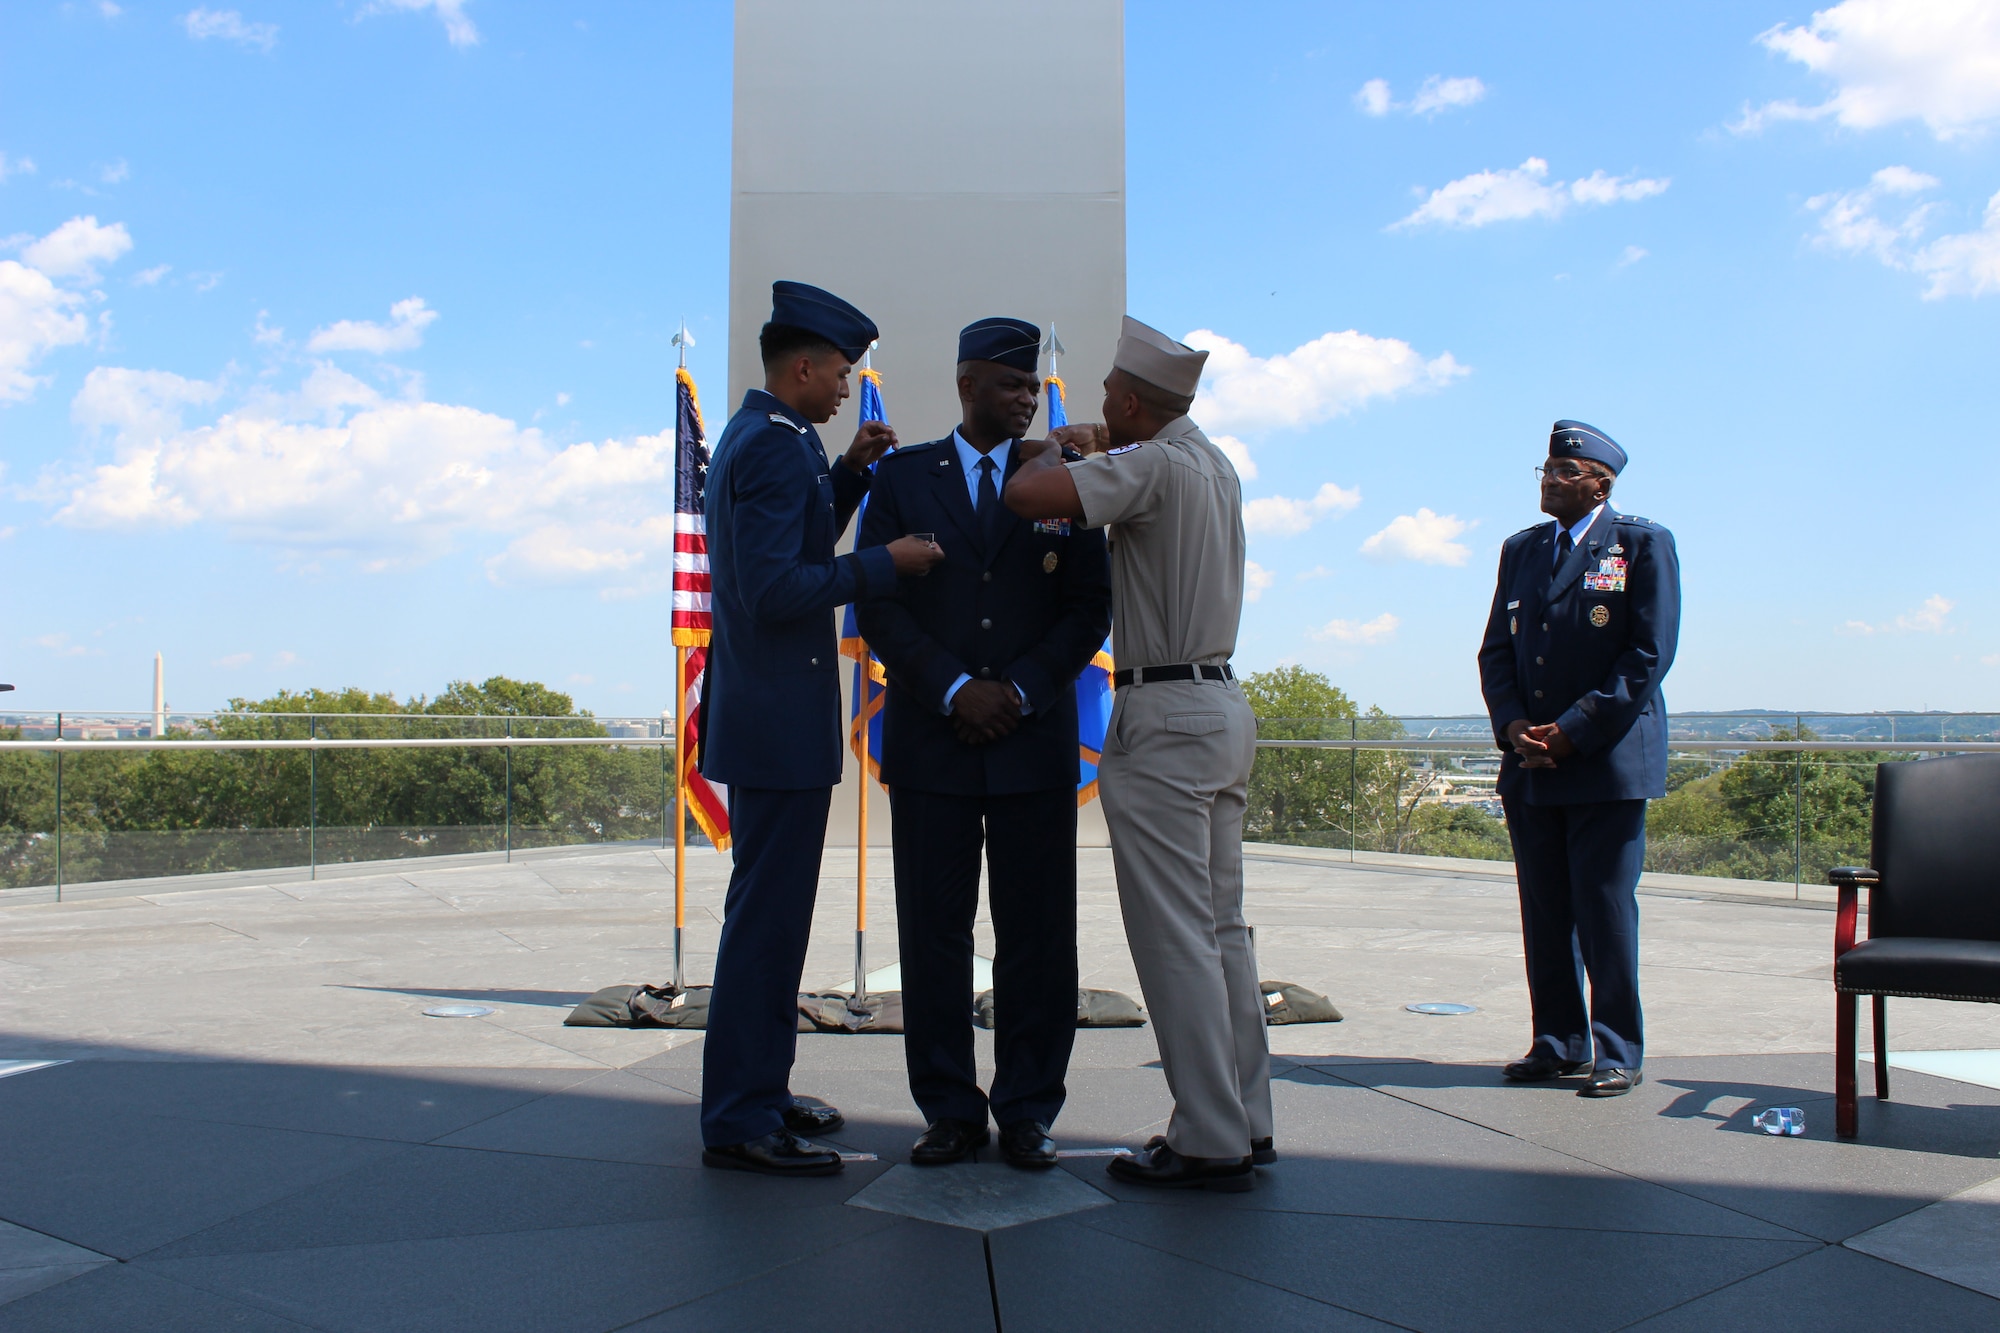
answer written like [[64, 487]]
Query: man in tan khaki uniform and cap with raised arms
[[1177, 756]]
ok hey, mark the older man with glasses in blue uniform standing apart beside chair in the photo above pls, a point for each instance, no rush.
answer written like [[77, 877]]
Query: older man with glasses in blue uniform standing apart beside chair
[[1583, 629]]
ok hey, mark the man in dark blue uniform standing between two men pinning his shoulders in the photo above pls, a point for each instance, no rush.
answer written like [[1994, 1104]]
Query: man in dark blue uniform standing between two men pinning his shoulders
[[979, 748]]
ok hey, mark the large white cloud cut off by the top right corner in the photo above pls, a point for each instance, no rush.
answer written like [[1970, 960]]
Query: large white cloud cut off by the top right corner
[[1933, 61]]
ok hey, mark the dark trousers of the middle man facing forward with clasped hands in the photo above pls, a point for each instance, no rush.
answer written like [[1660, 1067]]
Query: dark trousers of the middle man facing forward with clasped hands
[[1031, 888]]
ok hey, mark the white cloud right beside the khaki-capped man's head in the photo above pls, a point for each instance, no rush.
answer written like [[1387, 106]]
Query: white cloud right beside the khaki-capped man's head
[[1313, 383]]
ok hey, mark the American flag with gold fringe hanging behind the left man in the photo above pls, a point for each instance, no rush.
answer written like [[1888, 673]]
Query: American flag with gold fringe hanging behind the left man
[[711, 802]]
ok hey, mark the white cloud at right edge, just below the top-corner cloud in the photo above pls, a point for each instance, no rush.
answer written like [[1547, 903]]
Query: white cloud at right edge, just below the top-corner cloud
[[1957, 265]]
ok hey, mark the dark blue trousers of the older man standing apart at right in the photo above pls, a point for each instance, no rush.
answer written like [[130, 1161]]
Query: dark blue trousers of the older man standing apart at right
[[1579, 916]]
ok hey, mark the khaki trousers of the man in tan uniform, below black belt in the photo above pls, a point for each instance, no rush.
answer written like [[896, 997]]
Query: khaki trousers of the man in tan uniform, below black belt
[[1175, 780]]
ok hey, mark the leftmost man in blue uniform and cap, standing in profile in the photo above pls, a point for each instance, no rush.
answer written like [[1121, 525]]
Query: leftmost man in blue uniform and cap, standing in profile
[[771, 714]]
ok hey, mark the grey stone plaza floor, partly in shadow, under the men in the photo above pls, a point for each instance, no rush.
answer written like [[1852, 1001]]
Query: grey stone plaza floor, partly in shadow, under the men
[[257, 1128]]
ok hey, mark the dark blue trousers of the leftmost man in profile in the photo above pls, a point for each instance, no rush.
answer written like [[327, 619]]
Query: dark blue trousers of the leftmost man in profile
[[753, 1014]]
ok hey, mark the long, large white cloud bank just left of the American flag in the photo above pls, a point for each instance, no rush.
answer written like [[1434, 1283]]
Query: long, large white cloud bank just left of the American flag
[[337, 467]]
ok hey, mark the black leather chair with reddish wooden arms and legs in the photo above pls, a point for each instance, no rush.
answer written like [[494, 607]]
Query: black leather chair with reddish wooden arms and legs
[[1933, 906]]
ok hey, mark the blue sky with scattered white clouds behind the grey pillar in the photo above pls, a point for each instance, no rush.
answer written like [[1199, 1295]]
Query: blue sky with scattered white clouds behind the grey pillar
[[335, 337]]
